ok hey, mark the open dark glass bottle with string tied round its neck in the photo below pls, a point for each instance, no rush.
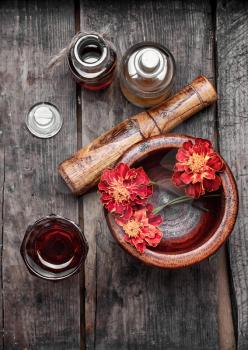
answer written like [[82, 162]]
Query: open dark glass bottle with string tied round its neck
[[92, 61]]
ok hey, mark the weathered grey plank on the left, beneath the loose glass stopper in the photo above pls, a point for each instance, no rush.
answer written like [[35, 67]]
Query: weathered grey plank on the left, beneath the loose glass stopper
[[37, 314]]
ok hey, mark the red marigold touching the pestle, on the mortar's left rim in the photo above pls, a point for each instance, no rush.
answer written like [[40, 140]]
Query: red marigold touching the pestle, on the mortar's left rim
[[122, 188]]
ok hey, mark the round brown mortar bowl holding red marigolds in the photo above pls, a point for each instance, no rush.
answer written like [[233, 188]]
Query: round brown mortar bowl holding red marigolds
[[191, 231]]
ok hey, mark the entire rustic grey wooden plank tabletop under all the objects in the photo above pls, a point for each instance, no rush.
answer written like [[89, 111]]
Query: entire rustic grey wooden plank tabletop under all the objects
[[118, 304]]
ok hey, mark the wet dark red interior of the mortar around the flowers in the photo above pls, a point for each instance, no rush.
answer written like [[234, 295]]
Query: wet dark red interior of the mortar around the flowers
[[187, 225]]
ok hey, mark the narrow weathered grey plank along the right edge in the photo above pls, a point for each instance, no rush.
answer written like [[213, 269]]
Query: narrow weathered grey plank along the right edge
[[232, 29]]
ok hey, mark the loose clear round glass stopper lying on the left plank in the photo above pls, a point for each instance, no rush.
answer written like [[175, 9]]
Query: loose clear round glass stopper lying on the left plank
[[44, 120]]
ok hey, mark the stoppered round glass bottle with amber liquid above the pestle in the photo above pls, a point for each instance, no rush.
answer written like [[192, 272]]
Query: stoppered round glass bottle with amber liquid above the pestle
[[147, 74]]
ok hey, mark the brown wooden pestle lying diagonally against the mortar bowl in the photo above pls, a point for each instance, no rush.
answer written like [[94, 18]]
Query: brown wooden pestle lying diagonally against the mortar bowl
[[83, 170]]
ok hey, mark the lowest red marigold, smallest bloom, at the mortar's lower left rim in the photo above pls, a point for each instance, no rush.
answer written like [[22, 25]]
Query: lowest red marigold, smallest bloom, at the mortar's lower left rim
[[141, 228]]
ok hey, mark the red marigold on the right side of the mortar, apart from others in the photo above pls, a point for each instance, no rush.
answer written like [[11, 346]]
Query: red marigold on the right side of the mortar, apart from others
[[197, 168]]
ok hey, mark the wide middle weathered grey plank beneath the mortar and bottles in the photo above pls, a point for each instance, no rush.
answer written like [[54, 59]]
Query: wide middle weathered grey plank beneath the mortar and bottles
[[129, 305]]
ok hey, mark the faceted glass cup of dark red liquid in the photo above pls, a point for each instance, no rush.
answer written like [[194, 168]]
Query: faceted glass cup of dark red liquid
[[54, 248]]
